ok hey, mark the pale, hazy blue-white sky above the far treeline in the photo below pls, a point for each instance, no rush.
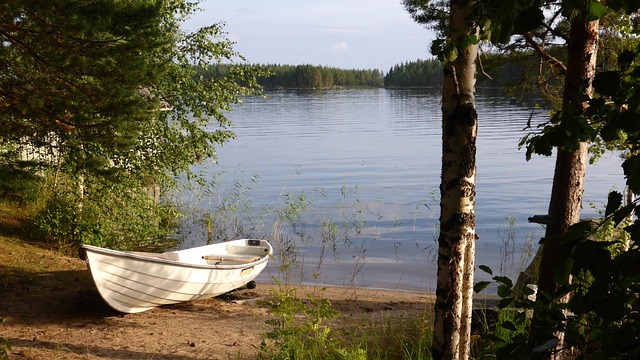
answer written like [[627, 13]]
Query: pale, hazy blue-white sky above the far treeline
[[347, 34]]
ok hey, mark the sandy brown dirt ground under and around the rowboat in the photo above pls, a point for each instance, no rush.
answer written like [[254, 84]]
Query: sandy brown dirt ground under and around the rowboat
[[52, 310]]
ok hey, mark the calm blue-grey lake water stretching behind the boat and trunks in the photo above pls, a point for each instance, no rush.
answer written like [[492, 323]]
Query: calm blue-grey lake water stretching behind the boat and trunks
[[369, 159]]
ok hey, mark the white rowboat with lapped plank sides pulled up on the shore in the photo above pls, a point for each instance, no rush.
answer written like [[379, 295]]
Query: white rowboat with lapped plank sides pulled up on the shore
[[132, 282]]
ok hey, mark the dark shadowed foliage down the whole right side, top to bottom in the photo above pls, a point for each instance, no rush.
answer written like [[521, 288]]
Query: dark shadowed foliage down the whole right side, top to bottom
[[602, 273]]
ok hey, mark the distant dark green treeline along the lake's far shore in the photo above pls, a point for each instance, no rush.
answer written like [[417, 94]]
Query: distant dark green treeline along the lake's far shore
[[419, 73]]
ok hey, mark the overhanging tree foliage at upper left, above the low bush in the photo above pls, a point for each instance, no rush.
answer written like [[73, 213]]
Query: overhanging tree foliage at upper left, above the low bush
[[83, 77]]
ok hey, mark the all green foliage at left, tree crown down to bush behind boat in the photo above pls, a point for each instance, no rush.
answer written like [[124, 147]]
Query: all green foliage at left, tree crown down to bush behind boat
[[107, 93]]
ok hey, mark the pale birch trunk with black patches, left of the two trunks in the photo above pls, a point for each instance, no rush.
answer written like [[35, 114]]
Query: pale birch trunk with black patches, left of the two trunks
[[452, 323]]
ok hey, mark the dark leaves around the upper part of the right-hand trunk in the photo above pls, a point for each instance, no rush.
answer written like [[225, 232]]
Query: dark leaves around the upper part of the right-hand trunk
[[523, 25]]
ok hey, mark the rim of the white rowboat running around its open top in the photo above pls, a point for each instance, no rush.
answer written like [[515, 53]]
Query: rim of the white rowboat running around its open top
[[140, 257]]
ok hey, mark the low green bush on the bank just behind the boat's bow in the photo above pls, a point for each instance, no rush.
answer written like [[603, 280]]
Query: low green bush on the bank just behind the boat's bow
[[131, 219]]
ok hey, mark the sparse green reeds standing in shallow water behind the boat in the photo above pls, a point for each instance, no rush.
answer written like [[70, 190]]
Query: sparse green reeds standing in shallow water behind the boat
[[218, 207]]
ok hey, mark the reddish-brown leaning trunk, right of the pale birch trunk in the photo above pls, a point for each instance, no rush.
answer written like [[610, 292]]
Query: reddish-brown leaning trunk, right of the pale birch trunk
[[568, 179]]
